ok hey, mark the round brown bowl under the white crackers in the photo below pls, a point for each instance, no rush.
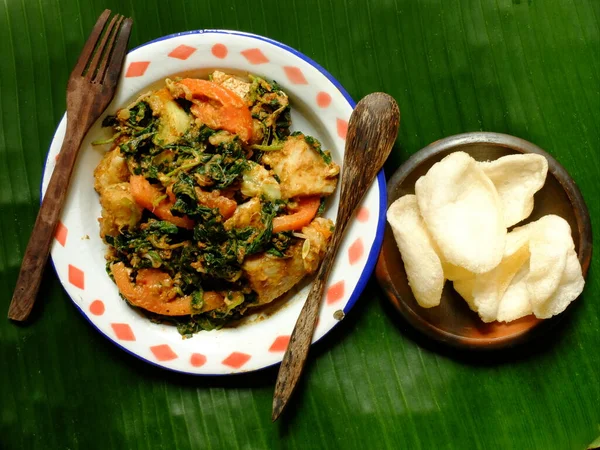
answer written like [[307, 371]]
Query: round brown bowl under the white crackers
[[452, 322]]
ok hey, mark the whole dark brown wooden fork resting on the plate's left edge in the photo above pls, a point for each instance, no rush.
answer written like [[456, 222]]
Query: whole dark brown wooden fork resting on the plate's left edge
[[90, 89]]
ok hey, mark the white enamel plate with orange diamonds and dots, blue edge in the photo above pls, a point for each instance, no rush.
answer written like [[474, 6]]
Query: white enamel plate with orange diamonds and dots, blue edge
[[320, 107]]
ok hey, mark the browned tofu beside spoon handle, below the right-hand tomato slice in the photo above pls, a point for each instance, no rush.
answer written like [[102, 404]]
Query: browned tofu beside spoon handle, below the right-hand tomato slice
[[270, 276]]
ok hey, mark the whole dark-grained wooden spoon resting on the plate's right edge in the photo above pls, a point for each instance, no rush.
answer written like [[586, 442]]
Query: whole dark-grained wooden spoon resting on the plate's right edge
[[372, 131]]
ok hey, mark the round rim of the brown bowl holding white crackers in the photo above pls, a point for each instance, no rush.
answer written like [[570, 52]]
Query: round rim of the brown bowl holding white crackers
[[570, 187]]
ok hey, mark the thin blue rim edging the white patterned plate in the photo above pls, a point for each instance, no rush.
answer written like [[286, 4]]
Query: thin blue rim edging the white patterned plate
[[373, 253]]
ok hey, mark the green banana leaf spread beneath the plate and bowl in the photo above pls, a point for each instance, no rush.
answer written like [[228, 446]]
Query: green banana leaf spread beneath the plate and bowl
[[530, 68]]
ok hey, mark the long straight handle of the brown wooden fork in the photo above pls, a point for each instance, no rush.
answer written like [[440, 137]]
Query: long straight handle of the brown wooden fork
[[38, 247]]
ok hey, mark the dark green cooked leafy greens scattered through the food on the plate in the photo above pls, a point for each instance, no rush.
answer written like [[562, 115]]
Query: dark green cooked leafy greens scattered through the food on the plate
[[208, 257]]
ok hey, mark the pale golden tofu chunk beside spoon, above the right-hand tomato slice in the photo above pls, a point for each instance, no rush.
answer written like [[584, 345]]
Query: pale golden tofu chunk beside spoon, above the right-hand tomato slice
[[302, 171]]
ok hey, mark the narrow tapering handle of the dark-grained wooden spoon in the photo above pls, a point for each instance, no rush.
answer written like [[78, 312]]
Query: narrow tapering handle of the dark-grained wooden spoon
[[297, 351]]
